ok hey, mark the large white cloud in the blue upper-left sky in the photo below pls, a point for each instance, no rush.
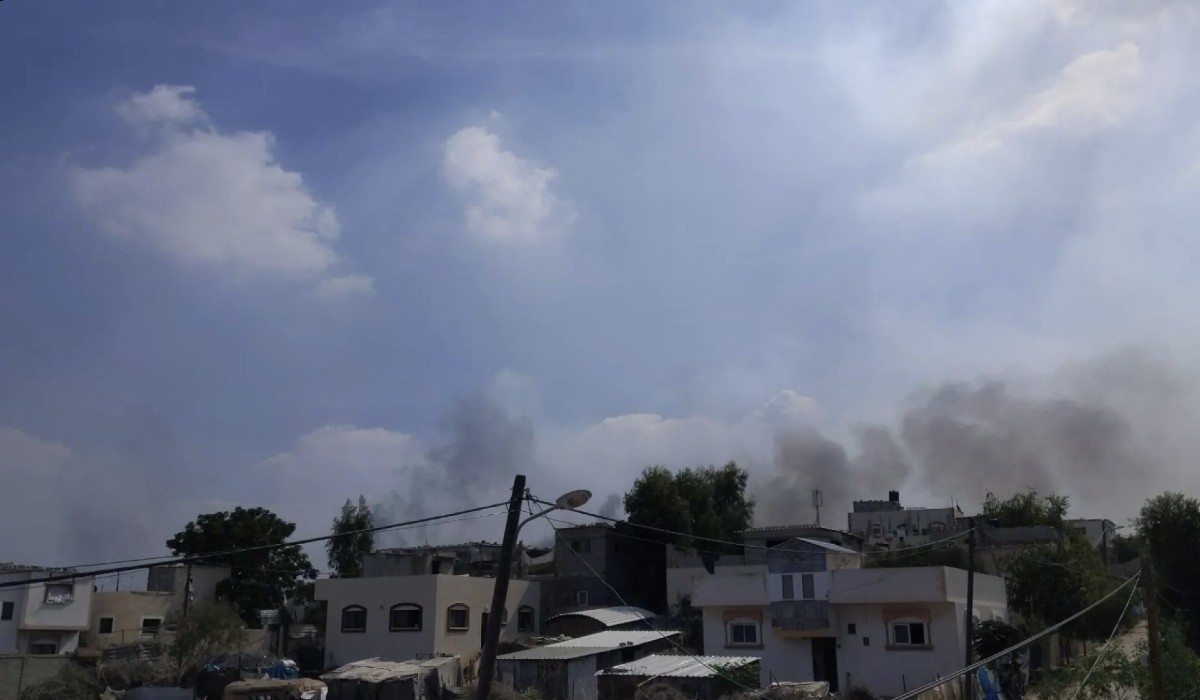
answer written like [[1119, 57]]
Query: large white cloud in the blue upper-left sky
[[211, 199]]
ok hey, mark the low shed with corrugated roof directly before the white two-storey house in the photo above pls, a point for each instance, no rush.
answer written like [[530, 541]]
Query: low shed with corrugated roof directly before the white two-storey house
[[693, 677]]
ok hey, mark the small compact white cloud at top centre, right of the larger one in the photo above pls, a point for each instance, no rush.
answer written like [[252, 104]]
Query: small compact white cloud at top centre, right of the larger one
[[509, 199]]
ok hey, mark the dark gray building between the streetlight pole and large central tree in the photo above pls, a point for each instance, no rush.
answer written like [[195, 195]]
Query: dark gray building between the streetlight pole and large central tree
[[589, 571]]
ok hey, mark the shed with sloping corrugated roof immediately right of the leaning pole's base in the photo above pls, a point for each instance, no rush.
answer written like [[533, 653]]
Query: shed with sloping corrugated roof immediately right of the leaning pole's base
[[568, 671]]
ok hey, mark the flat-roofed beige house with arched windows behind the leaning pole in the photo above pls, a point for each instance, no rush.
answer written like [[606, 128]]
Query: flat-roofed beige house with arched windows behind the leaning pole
[[398, 619]]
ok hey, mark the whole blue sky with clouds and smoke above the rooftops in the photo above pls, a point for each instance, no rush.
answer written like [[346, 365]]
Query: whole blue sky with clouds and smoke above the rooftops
[[283, 255]]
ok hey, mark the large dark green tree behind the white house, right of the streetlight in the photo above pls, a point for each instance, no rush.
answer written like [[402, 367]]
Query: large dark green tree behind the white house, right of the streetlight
[[691, 508]]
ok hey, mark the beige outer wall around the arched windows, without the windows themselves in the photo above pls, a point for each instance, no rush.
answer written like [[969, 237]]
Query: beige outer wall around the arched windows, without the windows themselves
[[435, 595]]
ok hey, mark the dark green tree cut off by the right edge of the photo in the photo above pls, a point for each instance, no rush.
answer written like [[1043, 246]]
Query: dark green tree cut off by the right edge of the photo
[[1169, 525]]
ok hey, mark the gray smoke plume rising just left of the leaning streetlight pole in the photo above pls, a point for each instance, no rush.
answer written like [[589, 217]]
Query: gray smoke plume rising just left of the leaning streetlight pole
[[482, 450]]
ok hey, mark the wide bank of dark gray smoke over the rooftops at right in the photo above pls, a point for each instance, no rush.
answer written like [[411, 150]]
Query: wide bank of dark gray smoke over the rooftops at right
[[1108, 434]]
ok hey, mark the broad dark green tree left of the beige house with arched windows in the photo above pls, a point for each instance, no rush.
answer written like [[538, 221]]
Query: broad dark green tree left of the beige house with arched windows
[[261, 579]]
